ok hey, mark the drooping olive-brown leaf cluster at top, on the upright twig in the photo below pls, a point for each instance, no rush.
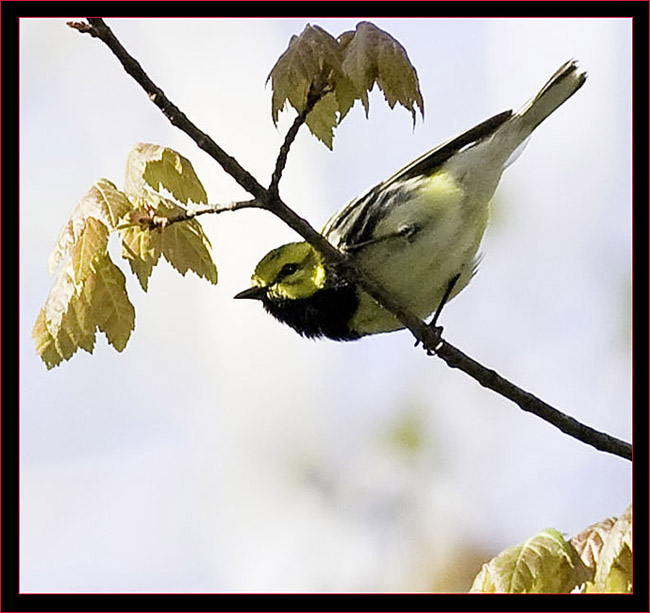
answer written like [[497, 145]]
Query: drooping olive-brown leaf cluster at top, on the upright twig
[[324, 76]]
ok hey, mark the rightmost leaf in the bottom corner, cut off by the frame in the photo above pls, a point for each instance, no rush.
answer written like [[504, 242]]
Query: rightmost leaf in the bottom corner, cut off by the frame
[[614, 567]]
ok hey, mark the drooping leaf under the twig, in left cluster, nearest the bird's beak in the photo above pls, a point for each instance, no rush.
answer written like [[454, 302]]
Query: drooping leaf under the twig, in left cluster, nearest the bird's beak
[[184, 245]]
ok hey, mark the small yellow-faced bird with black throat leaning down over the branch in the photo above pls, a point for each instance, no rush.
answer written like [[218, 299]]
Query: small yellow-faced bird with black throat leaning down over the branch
[[415, 233]]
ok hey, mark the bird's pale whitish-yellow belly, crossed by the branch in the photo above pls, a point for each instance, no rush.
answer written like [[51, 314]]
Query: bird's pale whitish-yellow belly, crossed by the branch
[[417, 269]]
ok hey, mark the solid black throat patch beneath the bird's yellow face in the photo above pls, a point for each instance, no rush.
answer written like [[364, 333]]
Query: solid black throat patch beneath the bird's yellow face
[[327, 312]]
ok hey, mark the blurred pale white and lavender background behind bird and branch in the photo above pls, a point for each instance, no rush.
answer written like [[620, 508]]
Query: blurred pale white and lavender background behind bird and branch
[[221, 451]]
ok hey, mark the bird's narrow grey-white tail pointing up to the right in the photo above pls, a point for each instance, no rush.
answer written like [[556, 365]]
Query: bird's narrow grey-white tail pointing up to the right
[[560, 87]]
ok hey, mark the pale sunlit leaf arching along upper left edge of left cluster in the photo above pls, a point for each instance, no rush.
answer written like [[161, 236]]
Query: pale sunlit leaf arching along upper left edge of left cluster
[[103, 202]]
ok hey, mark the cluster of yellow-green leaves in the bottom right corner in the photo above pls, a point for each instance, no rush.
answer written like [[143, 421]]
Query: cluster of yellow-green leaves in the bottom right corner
[[599, 559]]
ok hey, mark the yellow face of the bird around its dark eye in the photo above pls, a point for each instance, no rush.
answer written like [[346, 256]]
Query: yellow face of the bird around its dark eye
[[292, 271]]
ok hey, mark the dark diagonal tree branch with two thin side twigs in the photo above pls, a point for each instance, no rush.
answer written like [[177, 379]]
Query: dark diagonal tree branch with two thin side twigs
[[268, 199]]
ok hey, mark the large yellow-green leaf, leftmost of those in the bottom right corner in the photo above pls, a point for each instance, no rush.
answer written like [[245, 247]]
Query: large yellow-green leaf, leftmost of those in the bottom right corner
[[545, 563]]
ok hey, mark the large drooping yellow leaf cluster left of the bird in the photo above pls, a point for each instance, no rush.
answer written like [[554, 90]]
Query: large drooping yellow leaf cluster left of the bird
[[89, 291]]
